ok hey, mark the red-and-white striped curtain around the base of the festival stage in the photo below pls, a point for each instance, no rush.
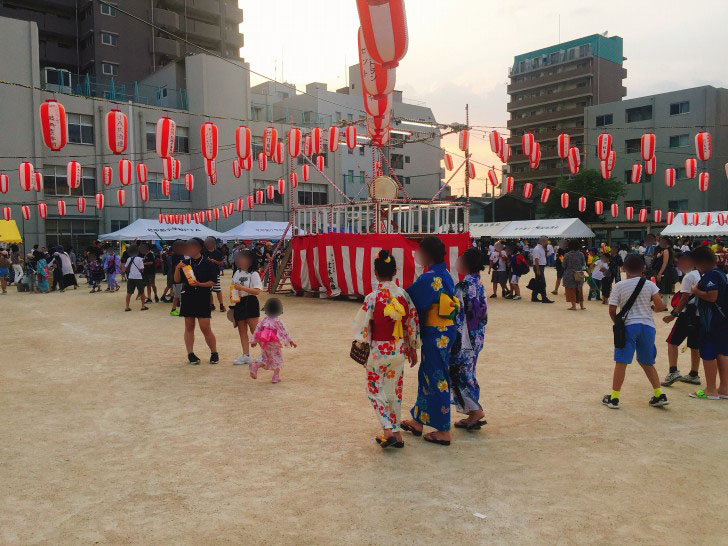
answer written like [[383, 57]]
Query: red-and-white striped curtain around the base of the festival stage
[[343, 264]]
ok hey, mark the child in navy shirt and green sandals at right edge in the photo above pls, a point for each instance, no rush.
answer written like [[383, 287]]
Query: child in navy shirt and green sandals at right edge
[[712, 294]]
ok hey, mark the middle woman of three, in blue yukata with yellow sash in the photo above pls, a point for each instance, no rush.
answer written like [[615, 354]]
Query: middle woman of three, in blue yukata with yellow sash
[[433, 296]]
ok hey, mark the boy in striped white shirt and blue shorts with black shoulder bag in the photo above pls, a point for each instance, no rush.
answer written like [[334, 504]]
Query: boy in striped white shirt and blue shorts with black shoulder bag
[[640, 329]]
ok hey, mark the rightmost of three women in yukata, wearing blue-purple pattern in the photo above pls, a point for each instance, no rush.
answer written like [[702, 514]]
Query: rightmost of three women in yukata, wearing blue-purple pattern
[[470, 324]]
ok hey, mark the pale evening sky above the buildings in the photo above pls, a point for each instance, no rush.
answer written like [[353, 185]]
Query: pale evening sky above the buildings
[[460, 50]]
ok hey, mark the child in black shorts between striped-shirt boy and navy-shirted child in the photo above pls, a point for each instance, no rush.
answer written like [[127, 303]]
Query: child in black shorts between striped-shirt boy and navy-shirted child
[[686, 326]]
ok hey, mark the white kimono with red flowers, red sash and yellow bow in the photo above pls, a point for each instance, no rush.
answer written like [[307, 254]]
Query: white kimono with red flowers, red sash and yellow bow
[[387, 321]]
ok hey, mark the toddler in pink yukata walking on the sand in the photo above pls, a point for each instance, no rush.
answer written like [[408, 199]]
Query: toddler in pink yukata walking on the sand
[[271, 335]]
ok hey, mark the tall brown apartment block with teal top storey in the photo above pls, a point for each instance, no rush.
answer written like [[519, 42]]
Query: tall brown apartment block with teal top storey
[[550, 89]]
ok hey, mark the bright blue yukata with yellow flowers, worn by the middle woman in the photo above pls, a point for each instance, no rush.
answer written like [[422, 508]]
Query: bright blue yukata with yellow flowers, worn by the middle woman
[[432, 406]]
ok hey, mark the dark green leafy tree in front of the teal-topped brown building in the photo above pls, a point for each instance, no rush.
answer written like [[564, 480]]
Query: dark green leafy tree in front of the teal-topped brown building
[[587, 183]]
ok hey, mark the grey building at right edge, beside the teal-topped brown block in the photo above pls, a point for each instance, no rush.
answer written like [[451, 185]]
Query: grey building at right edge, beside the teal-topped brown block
[[708, 110]]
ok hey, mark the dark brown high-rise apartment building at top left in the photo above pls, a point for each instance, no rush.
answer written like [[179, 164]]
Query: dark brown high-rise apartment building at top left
[[86, 43]]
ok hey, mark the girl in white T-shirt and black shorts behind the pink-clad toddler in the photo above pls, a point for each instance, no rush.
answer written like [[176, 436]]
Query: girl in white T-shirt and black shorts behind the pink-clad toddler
[[245, 307]]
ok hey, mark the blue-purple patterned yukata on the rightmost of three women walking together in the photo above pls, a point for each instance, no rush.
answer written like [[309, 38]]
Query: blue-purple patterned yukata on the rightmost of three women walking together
[[470, 324]]
